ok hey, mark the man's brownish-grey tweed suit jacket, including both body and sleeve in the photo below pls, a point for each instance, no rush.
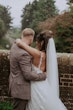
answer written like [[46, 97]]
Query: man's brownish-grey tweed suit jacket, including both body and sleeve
[[21, 73]]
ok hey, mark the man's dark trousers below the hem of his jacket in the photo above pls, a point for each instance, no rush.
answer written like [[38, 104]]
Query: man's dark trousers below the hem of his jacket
[[19, 104]]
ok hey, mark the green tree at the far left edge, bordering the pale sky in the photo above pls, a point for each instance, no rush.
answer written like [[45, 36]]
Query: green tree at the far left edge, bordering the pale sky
[[5, 20]]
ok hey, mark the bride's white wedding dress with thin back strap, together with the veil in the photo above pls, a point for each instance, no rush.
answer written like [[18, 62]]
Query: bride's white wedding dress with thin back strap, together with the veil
[[45, 94]]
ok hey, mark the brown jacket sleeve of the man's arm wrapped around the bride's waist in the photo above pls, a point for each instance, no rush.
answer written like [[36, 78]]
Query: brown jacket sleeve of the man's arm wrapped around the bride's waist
[[26, 68]]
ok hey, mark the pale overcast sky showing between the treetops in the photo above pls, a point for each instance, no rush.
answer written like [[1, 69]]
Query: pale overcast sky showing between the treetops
[[18, 5]]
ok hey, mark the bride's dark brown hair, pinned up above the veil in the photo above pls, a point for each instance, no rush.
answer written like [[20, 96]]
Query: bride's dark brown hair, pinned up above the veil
[[44, 37]]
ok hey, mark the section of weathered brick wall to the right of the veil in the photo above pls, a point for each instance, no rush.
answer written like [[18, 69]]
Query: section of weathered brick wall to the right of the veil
[[65, 63]]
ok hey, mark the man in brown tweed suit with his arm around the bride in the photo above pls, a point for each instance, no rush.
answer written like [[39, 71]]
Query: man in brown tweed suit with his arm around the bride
[[21, 73]]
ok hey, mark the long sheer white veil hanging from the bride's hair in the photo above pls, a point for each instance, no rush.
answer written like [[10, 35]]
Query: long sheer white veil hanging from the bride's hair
[[52, 67]]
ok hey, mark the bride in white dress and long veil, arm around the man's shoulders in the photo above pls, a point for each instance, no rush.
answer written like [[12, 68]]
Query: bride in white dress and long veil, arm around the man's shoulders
[[44, 94]]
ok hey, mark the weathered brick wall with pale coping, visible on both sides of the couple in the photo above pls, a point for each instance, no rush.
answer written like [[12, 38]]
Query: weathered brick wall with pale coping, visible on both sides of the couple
[[65, 64]]
